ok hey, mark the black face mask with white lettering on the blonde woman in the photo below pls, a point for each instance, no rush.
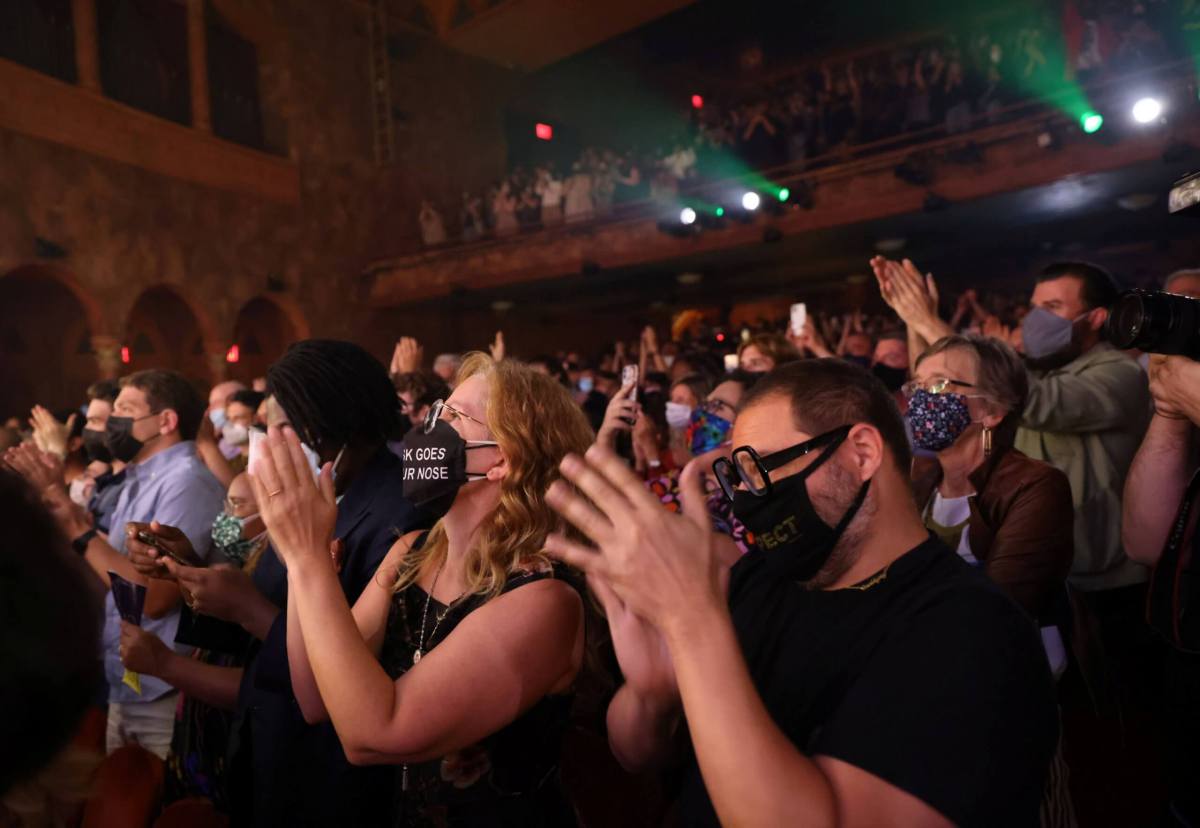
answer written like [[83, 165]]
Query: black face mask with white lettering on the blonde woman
[[436, 467]]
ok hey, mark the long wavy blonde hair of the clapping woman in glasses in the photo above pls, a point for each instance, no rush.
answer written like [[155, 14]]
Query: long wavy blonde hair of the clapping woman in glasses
[[536, 424]]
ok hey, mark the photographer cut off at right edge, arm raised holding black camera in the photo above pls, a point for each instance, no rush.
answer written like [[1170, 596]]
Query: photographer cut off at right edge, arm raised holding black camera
[[1159, 530]]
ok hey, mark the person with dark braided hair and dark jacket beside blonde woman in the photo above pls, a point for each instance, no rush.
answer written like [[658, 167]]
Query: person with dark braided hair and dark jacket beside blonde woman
[[339, 400]]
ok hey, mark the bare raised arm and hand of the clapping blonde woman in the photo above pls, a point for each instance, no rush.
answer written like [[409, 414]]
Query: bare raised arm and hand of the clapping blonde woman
[[521, 646]]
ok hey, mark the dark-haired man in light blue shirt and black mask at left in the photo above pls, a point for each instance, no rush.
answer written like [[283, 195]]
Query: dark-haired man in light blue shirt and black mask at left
[[153, 429]]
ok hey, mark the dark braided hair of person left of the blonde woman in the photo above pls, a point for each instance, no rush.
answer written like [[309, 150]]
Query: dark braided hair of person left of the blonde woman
[[334, 393]]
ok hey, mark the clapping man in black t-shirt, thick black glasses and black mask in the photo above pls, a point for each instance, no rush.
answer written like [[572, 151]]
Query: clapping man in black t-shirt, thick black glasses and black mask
[[850, 670]]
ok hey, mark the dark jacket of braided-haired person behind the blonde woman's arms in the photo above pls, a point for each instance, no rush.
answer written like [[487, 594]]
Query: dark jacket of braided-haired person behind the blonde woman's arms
[[284, 772]]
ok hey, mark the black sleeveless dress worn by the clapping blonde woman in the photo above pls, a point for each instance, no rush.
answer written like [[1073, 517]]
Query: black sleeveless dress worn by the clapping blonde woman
[[512, 778]]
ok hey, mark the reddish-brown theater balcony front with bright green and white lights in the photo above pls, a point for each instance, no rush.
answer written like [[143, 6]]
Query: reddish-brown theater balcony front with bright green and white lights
[[1031, 166]]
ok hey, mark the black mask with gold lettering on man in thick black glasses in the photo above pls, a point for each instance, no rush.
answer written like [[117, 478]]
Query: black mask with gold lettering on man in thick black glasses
[[787, 526]]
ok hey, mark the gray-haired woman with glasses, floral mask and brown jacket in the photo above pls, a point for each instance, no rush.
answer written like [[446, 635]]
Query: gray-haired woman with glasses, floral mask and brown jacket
[[983, 499]]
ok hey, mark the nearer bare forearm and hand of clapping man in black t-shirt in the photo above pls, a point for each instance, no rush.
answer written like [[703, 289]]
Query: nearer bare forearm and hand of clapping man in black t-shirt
[[668, 569]]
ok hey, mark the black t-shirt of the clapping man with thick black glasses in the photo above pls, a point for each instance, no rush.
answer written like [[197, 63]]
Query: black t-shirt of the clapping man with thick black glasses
[[932, 680]]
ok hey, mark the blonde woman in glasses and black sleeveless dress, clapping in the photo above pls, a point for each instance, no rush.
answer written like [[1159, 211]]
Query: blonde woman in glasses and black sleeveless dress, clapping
[[457, 665]]
